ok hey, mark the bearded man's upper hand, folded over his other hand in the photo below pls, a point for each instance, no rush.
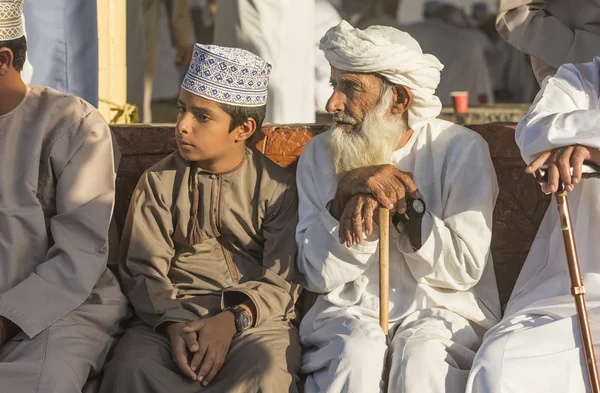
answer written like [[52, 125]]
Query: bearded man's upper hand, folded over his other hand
[[386, 183]]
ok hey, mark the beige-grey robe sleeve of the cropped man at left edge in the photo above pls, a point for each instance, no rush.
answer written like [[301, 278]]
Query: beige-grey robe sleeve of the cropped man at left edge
[[85, 192]]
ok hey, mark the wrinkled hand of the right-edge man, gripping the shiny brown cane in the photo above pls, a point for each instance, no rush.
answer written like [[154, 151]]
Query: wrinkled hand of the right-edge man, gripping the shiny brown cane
[[560, 161]]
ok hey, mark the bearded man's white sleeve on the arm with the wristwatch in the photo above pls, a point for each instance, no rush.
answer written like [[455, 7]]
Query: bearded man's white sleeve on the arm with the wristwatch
[[456, 247]]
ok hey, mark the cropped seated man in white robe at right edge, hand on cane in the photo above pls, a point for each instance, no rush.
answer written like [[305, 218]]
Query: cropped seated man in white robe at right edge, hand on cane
[[537, 345]]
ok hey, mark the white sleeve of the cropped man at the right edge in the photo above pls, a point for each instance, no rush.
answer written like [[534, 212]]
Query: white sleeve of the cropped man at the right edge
[[560, 115]]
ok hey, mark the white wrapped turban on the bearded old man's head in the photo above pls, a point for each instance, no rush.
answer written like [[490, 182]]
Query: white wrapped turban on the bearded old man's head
[[393, 54]]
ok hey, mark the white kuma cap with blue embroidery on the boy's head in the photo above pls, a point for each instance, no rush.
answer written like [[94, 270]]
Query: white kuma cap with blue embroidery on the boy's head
[[228, 75]]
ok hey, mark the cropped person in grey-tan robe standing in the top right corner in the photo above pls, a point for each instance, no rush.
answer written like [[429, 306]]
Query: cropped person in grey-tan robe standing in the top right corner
[[552, 32]]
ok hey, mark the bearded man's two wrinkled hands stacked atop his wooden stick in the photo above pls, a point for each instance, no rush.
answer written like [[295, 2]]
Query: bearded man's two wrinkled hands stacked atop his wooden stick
[[359, 194]]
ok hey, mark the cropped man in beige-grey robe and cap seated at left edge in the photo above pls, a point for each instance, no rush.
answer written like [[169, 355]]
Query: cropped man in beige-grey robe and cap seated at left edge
[[60, 307]]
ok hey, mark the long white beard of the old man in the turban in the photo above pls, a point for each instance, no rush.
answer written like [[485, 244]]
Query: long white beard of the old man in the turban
[[373, 144]]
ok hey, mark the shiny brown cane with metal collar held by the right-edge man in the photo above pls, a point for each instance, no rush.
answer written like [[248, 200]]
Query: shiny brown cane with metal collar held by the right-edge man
[[577, 289]]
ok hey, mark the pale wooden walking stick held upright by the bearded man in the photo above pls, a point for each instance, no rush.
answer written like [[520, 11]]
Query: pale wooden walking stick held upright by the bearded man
[[384, 268]]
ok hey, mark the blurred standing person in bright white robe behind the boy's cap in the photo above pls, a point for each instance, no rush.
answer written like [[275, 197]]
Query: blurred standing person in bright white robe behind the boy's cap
[[282, 33]]
